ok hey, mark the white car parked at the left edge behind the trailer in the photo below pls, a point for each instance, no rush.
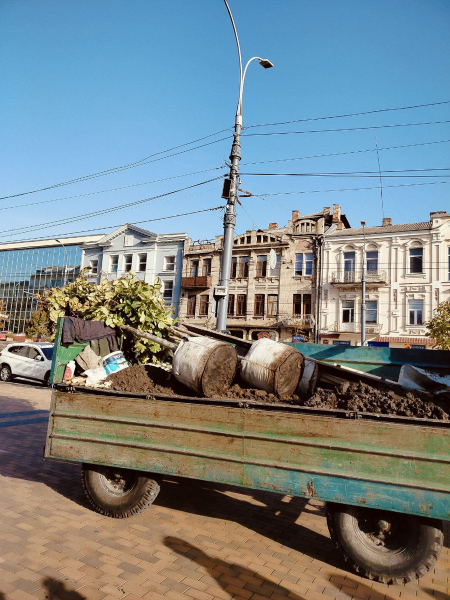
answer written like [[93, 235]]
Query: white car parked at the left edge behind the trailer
[[31, 361]]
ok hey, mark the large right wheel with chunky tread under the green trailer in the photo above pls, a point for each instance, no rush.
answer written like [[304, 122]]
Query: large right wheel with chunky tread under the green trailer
[[385, 546]]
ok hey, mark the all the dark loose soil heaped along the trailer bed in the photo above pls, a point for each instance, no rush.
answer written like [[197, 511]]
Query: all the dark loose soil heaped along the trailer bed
[[358, 397]]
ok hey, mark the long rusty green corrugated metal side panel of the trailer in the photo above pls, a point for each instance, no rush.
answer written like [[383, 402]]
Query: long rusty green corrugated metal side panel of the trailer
[[381, 464]]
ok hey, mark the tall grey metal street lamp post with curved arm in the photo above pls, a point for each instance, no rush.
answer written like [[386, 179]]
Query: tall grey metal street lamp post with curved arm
[[229, 220]]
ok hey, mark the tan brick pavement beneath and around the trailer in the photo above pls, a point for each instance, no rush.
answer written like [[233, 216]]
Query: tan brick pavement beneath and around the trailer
[[198, 541]]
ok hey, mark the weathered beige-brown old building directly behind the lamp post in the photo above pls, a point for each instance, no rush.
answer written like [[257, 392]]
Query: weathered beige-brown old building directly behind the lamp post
[[274, 288]]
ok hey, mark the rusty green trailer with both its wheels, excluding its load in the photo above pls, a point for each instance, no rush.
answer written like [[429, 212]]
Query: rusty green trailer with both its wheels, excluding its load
[[385, 479]]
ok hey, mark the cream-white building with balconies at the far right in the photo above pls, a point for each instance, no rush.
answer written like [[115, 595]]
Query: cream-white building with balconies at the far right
[[407, 273]]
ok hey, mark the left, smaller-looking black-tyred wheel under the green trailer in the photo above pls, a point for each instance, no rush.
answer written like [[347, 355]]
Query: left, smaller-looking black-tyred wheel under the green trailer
[[116, 492]]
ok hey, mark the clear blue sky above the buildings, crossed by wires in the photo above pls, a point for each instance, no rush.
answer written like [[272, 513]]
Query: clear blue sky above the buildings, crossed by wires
[[88, 86]]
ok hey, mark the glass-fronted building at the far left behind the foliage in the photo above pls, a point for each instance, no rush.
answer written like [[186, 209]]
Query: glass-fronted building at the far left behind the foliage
[[27, 271]]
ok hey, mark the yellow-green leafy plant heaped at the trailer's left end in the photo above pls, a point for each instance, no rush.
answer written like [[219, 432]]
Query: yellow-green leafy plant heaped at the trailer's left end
[[124, 301]]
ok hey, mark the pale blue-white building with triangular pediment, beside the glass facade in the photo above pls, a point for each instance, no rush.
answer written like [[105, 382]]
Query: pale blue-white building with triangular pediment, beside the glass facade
[[149, 255]]
